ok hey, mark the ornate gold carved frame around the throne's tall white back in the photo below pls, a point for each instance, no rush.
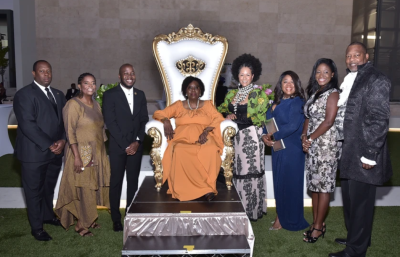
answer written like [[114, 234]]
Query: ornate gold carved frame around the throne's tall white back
[[189, 33]]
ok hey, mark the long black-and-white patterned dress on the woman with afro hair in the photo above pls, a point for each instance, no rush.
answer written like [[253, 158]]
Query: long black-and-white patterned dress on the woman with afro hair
[[248, 167]]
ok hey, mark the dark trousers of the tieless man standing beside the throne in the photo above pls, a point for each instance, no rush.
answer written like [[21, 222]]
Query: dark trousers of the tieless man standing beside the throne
[[119, 163]]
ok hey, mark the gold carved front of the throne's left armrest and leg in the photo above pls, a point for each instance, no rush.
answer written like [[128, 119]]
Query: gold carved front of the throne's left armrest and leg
[[156, 156]]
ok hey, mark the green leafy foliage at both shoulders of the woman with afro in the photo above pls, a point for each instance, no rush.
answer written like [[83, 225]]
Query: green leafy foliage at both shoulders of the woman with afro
[[260, 99]]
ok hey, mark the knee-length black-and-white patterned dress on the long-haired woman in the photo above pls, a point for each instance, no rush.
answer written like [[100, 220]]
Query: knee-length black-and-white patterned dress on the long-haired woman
[[323, 155]]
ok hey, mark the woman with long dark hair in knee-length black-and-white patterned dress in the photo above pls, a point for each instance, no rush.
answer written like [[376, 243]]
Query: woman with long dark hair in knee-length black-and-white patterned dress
[[320, 142]]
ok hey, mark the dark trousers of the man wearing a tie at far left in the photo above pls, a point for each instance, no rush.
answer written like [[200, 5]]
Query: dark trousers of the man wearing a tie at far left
[[39, 180]]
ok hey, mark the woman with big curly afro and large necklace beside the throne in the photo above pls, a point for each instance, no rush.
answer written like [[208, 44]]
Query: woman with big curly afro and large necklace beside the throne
[[244, 106]]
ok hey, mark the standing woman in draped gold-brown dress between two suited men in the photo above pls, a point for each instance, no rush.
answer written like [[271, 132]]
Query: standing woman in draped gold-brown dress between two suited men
[[86, 177]]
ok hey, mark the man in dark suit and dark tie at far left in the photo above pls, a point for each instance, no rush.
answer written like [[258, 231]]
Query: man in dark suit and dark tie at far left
[[39, 145]]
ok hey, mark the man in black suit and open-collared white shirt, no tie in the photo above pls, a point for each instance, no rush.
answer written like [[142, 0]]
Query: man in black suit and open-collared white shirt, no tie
[[125, 114]]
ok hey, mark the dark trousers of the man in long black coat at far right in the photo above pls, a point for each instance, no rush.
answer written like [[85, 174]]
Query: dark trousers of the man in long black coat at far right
[[358, 208]]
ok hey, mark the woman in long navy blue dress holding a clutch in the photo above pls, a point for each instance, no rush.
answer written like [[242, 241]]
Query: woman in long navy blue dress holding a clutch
[[288, 164]]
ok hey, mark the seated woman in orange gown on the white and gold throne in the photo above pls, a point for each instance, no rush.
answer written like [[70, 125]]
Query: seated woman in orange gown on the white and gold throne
[[192, 160]]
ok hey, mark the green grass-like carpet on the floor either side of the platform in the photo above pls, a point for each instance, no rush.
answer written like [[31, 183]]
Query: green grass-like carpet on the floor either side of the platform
[[15, 238]]
